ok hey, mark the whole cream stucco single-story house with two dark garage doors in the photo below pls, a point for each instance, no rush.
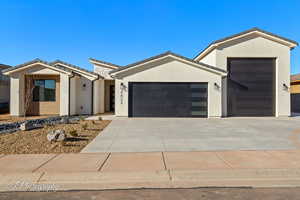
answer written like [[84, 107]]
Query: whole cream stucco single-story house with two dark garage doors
[[247, 74]]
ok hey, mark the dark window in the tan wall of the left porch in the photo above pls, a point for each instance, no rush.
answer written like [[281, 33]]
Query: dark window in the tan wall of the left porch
[[44, 90]]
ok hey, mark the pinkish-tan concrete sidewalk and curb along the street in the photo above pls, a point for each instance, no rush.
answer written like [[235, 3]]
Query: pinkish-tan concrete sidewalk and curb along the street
[[150, 170]]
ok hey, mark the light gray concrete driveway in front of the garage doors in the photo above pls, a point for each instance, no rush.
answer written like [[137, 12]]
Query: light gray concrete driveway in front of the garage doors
[[173, 134]]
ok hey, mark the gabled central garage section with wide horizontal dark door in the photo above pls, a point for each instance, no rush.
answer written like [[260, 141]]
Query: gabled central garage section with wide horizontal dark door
[[169, 85]]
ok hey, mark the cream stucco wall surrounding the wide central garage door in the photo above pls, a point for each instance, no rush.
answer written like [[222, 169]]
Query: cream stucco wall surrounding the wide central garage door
[[171, 71]]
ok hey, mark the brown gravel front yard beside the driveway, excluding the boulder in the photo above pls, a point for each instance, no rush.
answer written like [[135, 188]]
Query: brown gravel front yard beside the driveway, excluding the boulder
[[35, 141]]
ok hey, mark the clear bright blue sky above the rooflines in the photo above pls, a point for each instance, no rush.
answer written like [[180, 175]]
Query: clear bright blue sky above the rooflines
[[123, 32]]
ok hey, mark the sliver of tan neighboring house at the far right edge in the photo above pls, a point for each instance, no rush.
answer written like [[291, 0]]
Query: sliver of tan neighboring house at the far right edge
[[295, 93]]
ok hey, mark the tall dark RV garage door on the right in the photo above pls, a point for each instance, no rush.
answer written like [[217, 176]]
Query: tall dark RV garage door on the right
[[251, 86]]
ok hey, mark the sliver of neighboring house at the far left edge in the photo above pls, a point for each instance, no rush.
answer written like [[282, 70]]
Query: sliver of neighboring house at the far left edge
[[4, 89]]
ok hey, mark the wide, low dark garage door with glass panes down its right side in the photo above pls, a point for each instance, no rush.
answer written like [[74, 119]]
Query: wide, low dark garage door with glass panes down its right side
[[167, 99]]
